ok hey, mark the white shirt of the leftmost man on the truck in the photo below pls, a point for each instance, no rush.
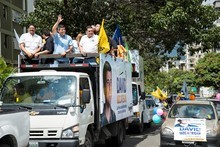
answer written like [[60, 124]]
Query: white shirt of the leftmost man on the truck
[[31, 43]]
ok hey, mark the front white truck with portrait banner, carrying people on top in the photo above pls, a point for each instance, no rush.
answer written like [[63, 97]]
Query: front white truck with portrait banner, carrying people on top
[[69, 107]]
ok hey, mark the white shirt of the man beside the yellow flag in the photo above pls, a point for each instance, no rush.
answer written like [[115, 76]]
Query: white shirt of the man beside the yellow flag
[[90, 45]]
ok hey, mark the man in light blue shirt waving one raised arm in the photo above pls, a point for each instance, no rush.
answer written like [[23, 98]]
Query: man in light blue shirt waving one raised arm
[[62, 42]]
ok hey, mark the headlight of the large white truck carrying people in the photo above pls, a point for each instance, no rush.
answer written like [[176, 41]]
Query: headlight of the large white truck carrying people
[[71, 132]]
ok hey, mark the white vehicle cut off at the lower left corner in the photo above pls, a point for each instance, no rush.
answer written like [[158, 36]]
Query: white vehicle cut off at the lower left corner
[[14, 127]]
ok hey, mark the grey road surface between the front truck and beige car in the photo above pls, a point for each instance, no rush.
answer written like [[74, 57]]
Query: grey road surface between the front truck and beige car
[[150, 137]]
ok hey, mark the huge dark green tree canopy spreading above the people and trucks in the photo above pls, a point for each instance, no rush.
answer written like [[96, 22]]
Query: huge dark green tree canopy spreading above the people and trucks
[[154, 27]]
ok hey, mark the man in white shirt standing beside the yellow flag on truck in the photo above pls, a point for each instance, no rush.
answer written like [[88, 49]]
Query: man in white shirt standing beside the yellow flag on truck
[[89, 44]]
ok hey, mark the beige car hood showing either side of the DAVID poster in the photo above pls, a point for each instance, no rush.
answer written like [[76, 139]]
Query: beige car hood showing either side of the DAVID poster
[[169, 123]]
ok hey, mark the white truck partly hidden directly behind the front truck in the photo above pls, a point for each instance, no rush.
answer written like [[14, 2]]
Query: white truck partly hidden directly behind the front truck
[[139, 118]]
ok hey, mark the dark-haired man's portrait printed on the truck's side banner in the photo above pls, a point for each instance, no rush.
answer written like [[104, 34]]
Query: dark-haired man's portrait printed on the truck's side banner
[[108, 114]]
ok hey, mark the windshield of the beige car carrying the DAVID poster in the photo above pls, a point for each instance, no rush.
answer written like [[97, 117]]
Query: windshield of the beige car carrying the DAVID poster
[[192, 111]]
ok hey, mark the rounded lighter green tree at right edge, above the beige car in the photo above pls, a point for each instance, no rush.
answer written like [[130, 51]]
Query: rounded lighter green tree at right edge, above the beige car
[[207, 70]]
